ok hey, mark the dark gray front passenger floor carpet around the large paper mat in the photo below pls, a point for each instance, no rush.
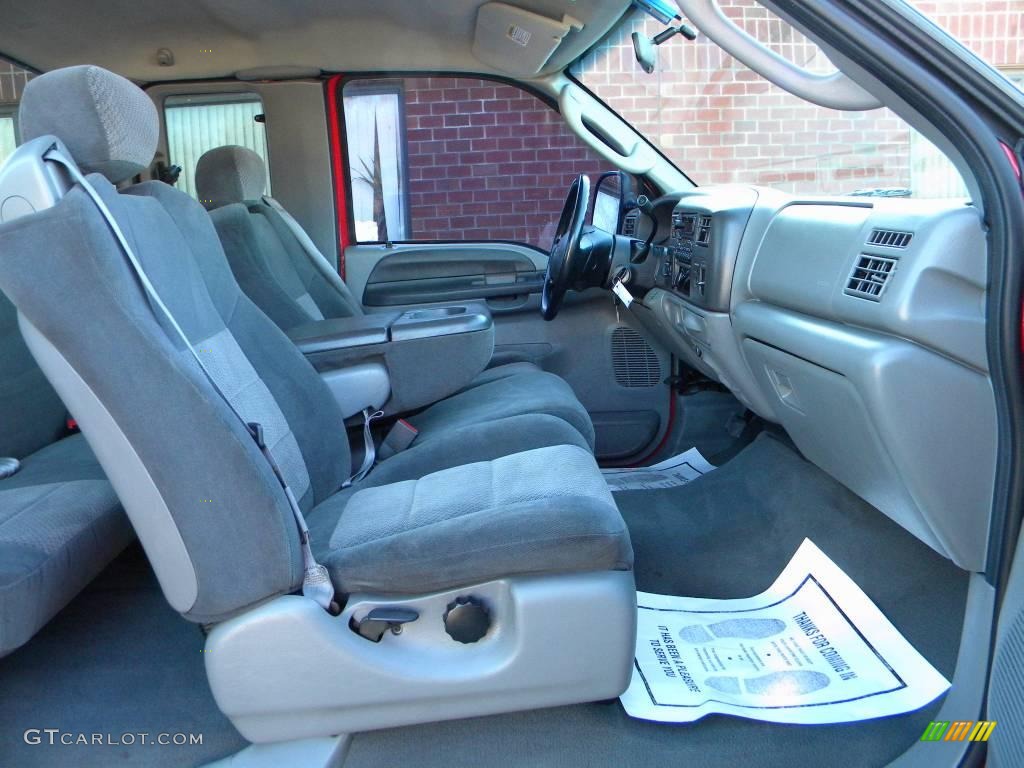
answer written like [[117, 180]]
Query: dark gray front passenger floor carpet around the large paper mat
[[728, 535]]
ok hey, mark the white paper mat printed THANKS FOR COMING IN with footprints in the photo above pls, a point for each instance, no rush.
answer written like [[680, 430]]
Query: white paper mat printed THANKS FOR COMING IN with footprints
[[813, 649]]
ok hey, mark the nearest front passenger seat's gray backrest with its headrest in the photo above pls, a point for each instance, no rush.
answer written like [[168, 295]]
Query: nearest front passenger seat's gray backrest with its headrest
[[214, 520]]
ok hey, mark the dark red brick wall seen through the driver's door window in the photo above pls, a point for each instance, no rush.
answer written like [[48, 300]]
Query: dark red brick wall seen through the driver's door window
[[488, 161]]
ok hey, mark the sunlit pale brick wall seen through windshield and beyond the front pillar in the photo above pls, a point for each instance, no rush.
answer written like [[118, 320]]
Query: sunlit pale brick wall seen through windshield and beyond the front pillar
[[722, 123]]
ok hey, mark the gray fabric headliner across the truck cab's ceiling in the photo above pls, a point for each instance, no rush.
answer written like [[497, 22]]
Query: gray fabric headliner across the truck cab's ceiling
[[219, 38]]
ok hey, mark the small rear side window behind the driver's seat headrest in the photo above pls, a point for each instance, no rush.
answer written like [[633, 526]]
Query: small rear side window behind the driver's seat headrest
[[197, 124]]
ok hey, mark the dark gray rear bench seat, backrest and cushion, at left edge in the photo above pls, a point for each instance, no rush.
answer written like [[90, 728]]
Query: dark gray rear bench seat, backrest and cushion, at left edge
[[61, 523]]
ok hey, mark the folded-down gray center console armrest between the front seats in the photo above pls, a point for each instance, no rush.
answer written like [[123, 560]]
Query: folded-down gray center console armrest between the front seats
[[399, 362]]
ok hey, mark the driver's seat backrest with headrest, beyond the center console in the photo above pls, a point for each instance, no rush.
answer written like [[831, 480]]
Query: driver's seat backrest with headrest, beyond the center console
[[272, 266]]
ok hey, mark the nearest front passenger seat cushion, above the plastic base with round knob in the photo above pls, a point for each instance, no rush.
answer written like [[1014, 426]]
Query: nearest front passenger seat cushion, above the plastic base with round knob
[[511, 517]]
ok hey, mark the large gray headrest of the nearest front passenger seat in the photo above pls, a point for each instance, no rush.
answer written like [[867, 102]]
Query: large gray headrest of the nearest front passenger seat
[[108, 123]]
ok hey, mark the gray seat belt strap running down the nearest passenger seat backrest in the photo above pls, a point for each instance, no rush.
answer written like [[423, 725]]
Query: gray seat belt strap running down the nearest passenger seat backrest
[[316, 581]]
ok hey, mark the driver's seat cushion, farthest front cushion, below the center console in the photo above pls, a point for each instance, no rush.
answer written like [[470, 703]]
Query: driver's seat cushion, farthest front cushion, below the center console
[[524, 391]]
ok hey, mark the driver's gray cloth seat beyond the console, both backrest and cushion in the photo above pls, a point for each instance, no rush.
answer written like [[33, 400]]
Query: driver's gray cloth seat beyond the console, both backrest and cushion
[[293, 288]]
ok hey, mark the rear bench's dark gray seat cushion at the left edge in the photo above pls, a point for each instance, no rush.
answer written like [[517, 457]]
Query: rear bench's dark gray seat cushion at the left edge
[[61, 525]]
